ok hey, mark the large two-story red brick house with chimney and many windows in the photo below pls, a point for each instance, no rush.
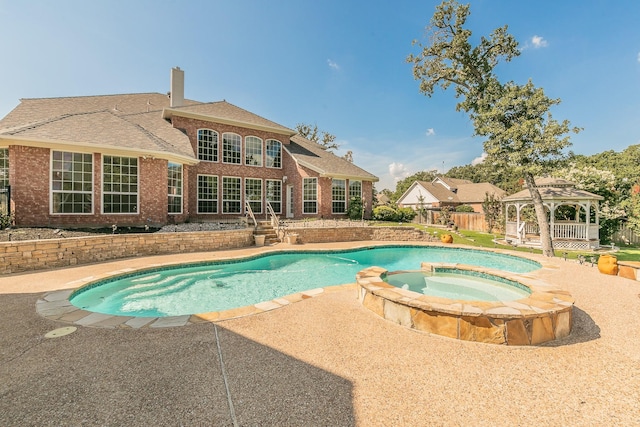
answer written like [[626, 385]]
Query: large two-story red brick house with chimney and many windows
[[152, 159]]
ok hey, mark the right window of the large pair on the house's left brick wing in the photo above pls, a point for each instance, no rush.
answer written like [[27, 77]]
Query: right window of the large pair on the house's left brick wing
[[119, 184]]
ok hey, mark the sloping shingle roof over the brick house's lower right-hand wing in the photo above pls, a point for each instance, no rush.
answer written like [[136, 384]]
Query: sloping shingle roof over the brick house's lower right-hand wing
[[311, 155]]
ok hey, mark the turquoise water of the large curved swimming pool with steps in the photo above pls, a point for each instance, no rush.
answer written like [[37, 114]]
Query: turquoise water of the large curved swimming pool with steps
[[217, 286]]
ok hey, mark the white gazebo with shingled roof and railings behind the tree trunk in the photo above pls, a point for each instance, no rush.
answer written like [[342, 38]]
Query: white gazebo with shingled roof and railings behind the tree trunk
[[574, 217]]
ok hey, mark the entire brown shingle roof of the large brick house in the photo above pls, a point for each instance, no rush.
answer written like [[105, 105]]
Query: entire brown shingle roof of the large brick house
[[136, 122]]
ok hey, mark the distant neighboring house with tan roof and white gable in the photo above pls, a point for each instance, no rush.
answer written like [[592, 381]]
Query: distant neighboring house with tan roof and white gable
[[449, 192]]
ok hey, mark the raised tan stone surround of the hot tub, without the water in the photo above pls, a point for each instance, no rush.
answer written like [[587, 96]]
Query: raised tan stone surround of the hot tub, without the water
[[545, 315]]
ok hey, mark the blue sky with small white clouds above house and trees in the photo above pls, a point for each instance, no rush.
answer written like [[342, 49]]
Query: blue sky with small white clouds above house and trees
[[338, 64]]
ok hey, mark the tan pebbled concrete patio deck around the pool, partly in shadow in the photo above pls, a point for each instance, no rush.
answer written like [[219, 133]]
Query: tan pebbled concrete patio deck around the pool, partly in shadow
[[320, 361]]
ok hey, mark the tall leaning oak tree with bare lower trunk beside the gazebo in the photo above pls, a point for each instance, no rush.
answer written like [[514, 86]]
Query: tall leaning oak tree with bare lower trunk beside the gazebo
[[515, 119]]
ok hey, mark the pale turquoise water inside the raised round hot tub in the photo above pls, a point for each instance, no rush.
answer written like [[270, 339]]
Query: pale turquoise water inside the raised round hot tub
[[459, 286]]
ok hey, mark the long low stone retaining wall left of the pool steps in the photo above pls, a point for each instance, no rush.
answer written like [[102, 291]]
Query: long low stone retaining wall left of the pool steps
[[31, 255]]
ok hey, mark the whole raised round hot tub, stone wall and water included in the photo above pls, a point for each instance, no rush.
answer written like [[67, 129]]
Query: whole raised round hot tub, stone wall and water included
[[534, 313]]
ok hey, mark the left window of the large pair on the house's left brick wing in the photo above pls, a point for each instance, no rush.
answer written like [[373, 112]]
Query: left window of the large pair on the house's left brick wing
[[71, 183]]
